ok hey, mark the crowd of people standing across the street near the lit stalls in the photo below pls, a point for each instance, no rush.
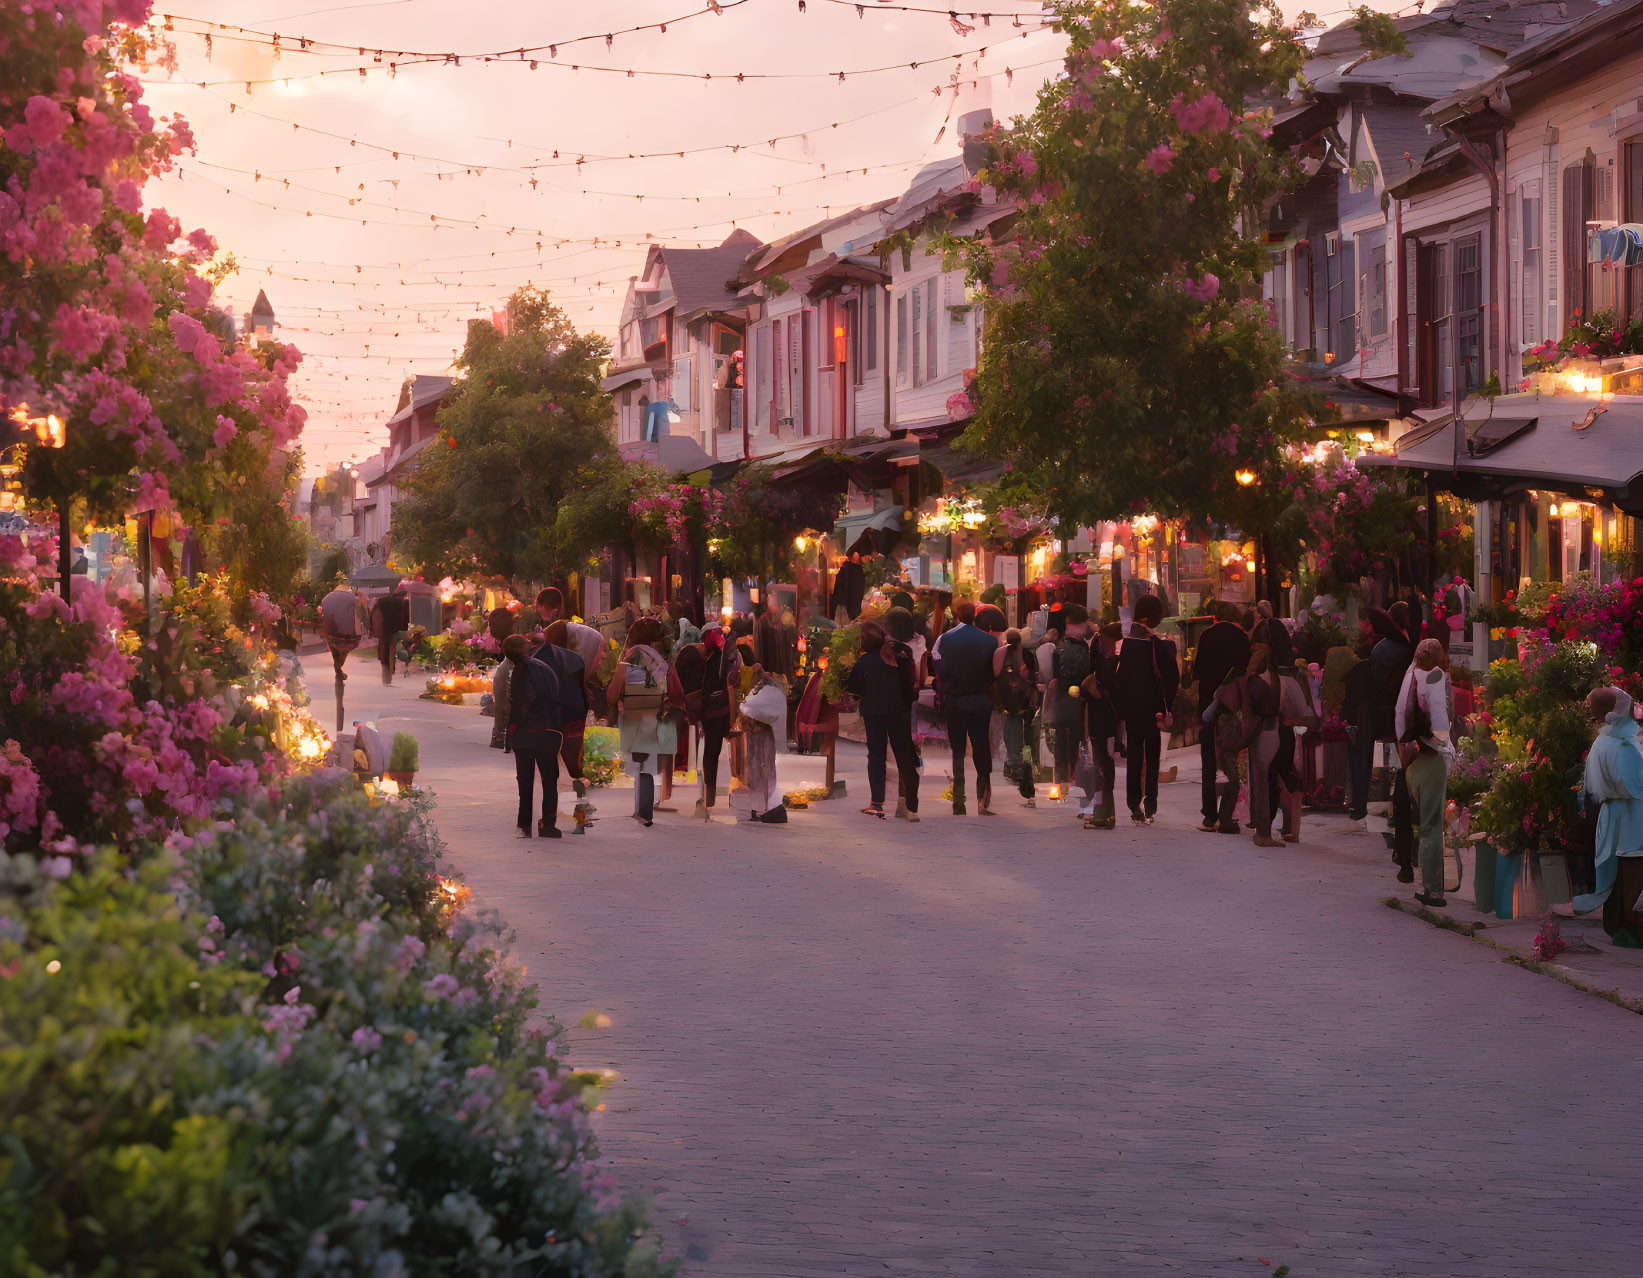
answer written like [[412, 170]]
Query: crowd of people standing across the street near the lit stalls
[[1093, 694]]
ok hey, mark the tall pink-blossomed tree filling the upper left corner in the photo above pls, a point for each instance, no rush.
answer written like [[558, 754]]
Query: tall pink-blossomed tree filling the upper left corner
[[106, 318]]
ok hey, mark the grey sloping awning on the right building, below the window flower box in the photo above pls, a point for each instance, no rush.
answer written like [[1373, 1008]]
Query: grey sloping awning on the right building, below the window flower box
[[1517, 443]]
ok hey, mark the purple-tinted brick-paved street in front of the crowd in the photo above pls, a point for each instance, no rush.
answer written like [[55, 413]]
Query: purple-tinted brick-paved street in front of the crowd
[[1016, 1047]]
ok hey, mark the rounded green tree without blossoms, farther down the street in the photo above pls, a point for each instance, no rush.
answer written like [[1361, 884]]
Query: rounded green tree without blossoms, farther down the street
[[518, 438]]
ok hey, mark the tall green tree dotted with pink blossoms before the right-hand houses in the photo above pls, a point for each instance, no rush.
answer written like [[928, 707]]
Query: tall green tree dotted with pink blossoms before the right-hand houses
[[1128, 362]]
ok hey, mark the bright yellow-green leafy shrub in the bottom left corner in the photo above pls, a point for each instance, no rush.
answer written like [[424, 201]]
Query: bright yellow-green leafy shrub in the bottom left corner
[[101, 1059]]
